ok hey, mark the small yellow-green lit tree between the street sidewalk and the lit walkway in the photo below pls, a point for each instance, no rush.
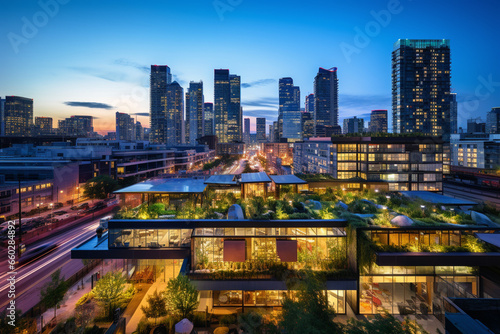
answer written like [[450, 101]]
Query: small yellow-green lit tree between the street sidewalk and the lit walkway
[[108, 291]]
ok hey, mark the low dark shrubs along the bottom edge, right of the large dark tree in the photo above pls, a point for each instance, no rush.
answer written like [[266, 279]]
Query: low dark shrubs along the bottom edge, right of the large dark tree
[[383, 324]]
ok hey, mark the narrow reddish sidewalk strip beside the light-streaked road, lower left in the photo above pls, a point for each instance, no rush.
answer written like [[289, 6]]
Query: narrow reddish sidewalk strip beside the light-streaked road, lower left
[[67, 308]]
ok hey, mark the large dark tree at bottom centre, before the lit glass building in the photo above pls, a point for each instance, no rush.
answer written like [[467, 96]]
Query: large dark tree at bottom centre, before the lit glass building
[[310, 312]]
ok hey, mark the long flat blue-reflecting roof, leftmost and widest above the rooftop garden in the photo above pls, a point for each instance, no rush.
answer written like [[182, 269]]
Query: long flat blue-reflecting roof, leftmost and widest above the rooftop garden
[[170, 186]]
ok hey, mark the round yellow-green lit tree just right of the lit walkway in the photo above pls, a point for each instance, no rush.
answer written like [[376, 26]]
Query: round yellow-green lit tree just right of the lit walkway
[[181, 296]]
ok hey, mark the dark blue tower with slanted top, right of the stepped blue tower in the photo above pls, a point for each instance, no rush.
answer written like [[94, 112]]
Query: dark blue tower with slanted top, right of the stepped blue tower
[[326, 102]]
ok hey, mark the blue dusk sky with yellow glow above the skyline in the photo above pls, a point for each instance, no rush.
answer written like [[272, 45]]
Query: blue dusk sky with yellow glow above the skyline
[[100, 51]]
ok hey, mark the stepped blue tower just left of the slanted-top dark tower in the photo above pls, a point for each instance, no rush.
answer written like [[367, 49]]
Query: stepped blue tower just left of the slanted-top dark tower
[[289, 116]]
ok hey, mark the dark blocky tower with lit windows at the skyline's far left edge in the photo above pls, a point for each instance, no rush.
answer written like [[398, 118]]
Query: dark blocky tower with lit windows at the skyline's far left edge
[[17, 119]]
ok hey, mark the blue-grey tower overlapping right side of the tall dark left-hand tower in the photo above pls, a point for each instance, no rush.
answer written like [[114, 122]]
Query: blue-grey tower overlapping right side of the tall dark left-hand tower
[[174, 113]]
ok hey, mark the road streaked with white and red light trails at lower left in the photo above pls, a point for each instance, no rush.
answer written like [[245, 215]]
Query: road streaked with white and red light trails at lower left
[[32, 276]]
